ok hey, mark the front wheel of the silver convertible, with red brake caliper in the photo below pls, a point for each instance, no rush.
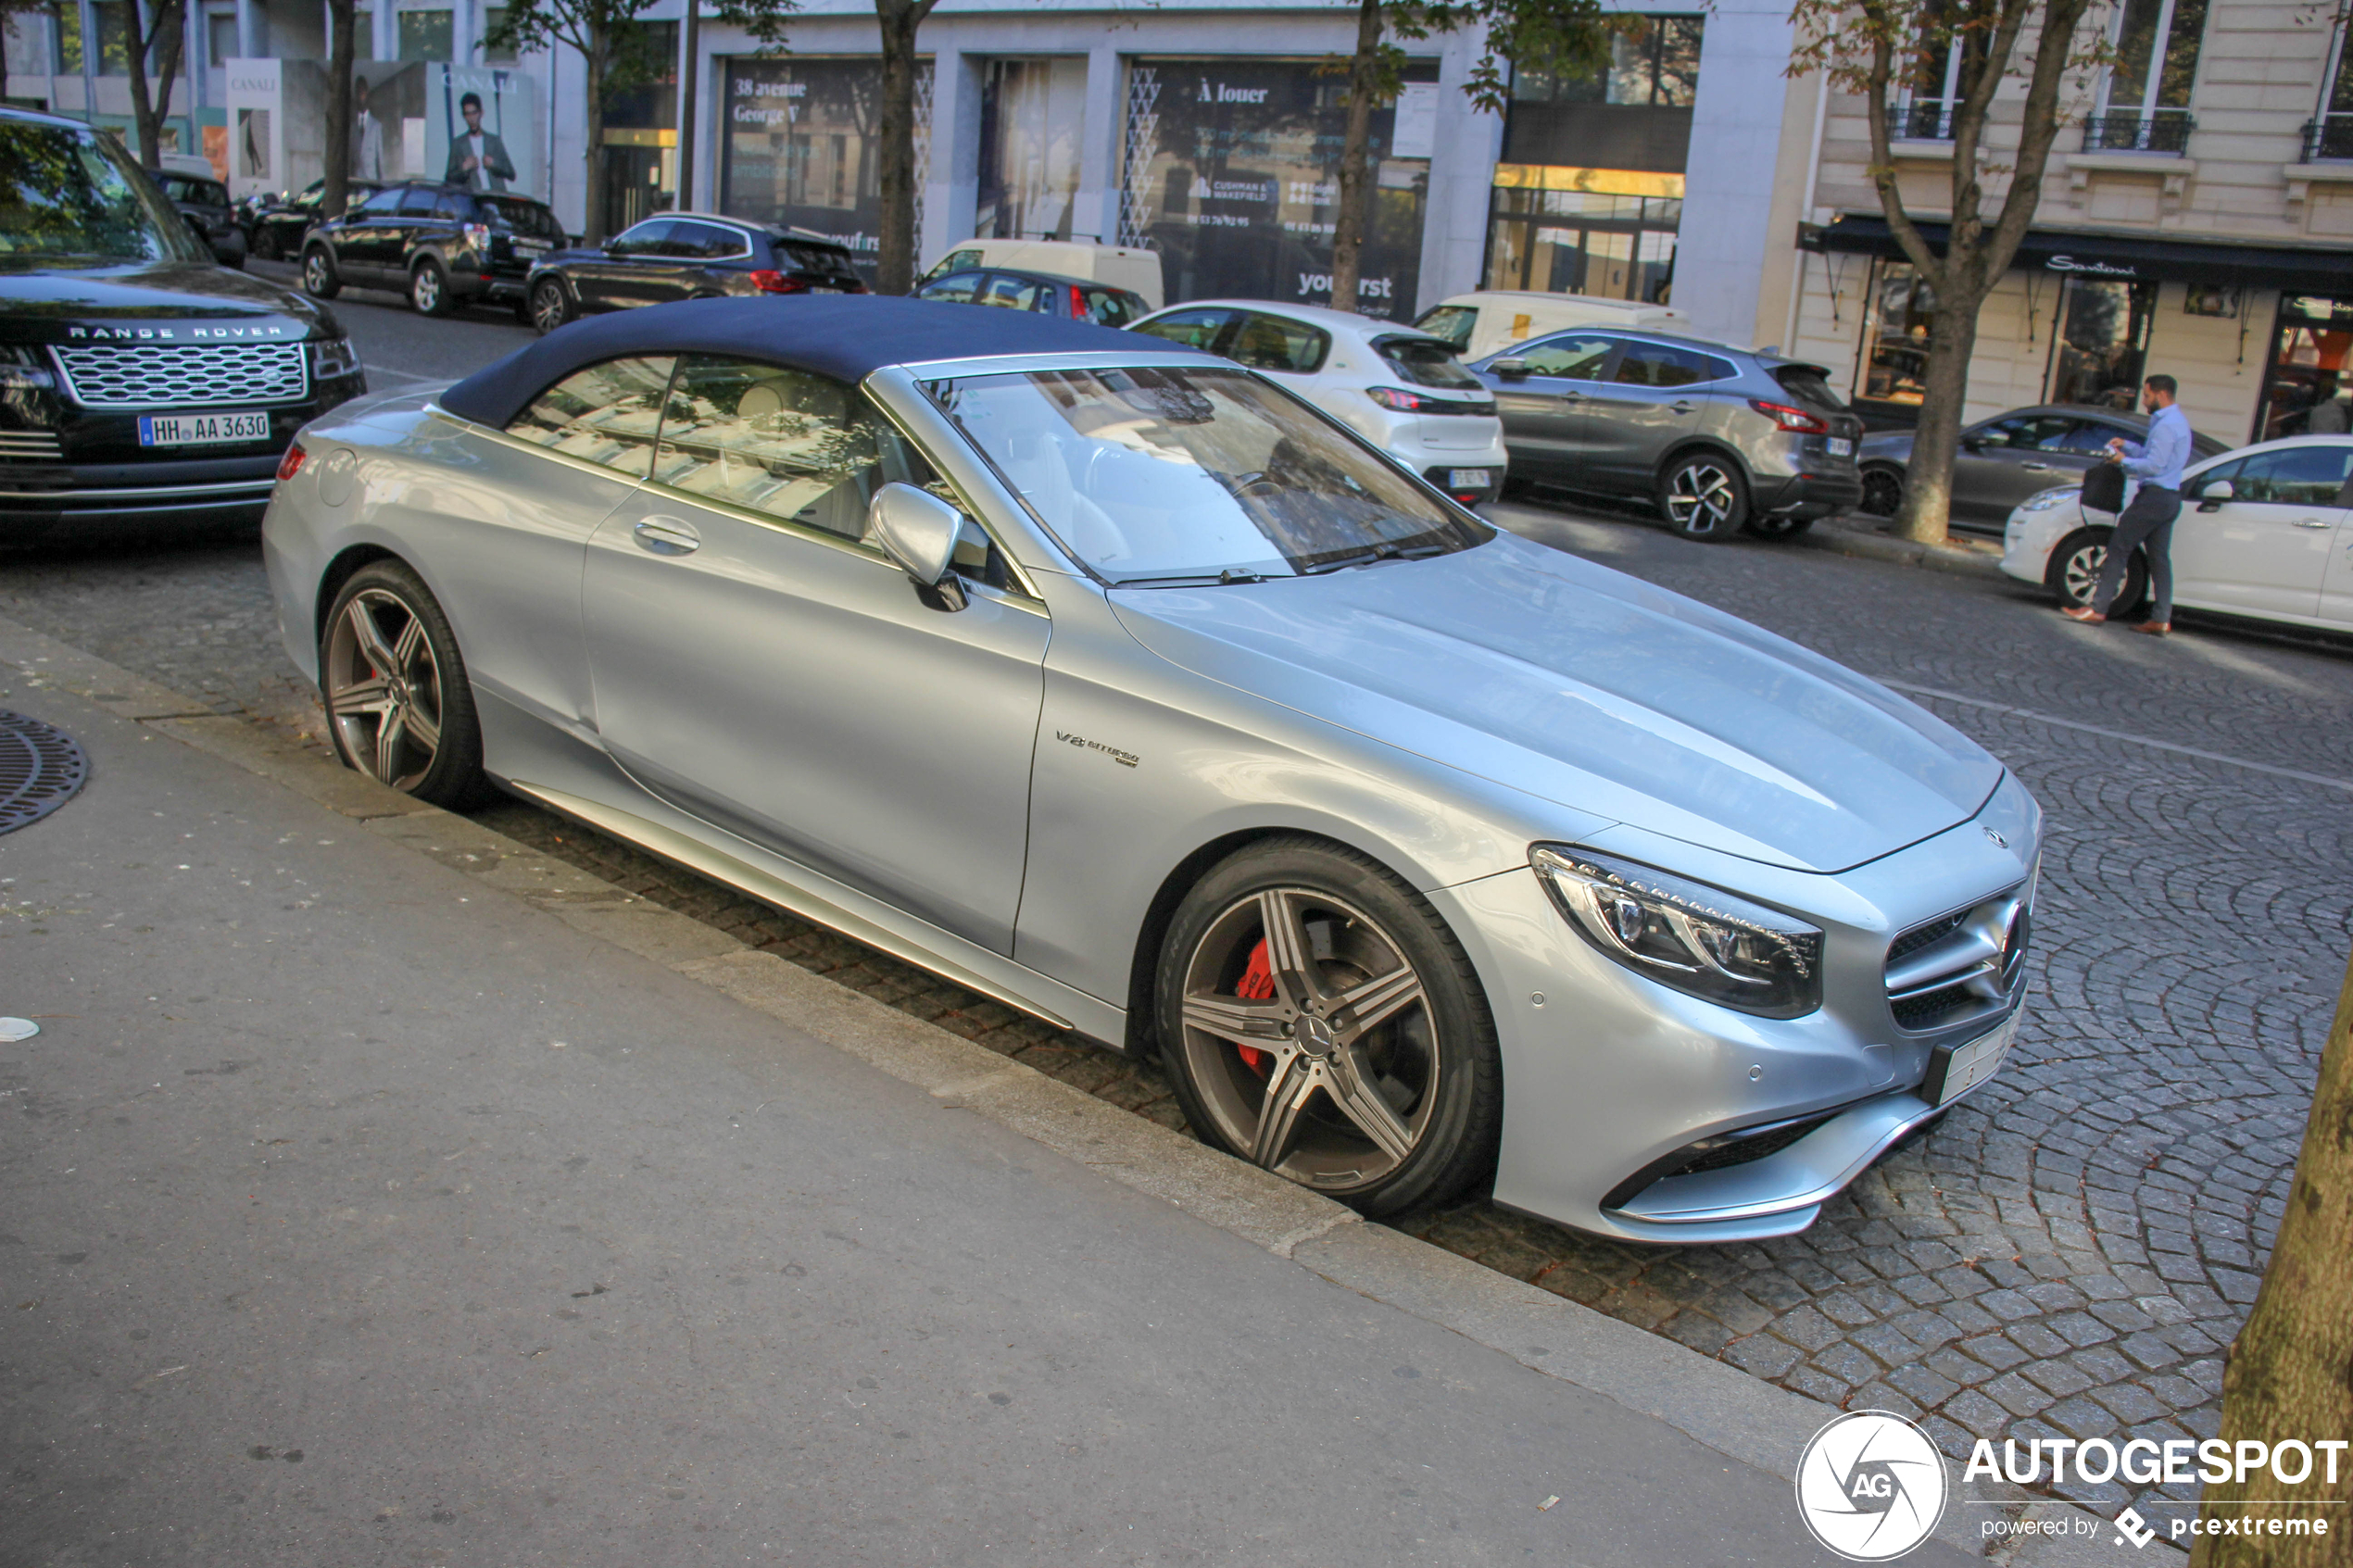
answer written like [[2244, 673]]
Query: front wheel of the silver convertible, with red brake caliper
[[1324, 1024]]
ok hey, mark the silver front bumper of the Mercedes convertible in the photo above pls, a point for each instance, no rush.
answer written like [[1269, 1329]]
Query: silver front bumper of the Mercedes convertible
[[1611, 1080]]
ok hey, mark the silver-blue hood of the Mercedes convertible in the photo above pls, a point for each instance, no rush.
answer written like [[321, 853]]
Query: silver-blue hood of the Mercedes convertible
[[1592, 690]]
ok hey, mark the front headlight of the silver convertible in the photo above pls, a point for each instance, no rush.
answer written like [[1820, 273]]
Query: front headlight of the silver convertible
[[1686, 934]]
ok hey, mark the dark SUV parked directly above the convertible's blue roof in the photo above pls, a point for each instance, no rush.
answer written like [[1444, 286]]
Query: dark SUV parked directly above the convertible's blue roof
[[688, 255]]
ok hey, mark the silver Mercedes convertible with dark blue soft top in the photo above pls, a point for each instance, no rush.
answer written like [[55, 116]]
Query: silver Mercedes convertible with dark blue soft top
[[1126, 688]]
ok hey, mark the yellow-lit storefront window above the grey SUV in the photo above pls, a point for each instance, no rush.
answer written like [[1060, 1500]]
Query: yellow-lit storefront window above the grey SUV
[[1585, 241]]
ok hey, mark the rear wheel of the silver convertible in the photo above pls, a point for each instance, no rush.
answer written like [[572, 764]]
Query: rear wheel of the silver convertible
[[399, 702]]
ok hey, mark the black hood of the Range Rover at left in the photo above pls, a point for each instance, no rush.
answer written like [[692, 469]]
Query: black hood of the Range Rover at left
[[154, 302]]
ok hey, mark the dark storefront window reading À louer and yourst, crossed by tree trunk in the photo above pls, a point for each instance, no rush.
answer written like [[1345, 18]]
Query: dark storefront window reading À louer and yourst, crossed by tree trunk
[[1234, 177]]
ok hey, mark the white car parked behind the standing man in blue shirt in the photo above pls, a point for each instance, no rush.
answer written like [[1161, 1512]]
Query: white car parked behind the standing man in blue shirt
[[2265, 532]]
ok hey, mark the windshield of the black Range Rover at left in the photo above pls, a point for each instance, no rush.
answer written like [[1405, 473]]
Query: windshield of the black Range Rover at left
[[74, 196]]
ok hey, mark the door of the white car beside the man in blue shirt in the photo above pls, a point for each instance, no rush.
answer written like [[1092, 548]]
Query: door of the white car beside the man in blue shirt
[[2267, 549]]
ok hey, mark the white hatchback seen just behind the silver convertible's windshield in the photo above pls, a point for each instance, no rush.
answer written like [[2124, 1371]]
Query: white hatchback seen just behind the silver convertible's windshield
[[1397, 387]]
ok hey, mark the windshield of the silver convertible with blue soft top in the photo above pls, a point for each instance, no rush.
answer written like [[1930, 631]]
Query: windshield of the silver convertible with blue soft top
[[1185, 476]]
